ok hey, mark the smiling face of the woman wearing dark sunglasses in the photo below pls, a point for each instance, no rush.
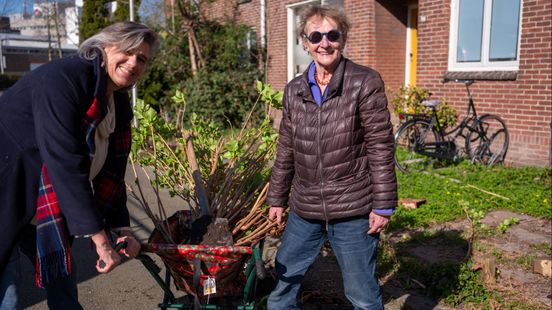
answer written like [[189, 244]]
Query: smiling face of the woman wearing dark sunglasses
[[325, 54]]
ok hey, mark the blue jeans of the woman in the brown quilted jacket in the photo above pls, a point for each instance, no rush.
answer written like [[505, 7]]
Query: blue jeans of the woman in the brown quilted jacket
[[355, 251]]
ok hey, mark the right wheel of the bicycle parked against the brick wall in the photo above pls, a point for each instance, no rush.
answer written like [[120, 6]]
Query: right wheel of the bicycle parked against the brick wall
[[487, 142]]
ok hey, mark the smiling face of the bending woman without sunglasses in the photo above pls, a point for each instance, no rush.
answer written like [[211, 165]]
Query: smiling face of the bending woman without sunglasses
[[125, 68]]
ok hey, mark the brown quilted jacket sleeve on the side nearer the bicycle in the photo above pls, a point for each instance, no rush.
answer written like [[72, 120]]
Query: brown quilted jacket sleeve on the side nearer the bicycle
[[378, 137]]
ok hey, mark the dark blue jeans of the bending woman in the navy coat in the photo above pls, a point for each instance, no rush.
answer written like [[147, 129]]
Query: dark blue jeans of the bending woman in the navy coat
[[61, 293]]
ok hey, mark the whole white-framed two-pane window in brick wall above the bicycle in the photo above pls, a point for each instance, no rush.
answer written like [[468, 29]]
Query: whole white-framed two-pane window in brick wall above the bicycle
[[484, 35]]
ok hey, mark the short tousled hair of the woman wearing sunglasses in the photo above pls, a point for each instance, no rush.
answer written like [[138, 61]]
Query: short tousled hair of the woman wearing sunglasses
[[337, 15]]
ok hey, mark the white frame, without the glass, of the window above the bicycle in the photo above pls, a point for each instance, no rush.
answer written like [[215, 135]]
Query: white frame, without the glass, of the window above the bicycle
[[484, 64]]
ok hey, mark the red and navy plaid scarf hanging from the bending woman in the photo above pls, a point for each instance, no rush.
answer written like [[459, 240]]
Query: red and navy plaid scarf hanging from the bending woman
[[53, 239]]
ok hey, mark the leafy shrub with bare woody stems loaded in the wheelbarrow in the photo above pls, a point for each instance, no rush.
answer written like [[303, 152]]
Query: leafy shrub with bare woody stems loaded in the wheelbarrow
[[234, 167]]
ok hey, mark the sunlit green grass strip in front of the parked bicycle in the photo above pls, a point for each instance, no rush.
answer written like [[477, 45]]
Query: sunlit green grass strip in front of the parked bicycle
[[526, 190]]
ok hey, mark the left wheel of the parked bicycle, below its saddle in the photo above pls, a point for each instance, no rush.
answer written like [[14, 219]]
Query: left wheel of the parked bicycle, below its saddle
[[410, 143]]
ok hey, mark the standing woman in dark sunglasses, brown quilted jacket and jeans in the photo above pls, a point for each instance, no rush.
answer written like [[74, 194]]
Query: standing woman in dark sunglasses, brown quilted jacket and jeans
[[336, 151]]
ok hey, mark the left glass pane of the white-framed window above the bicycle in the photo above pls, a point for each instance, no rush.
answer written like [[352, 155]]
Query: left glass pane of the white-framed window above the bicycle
[[470, 30]]
